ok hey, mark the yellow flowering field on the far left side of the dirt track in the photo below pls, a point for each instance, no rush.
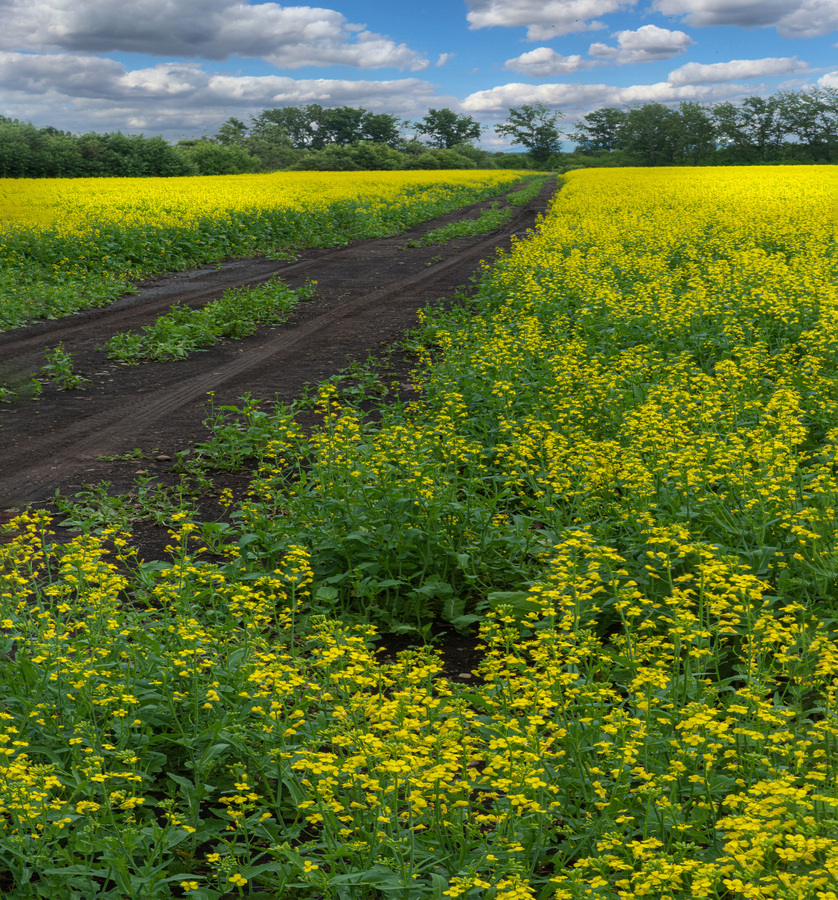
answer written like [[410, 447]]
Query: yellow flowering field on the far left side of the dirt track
[[69, 244]]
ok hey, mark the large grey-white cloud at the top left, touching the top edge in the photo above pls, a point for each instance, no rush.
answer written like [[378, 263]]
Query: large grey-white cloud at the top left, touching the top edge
[[286, 36]]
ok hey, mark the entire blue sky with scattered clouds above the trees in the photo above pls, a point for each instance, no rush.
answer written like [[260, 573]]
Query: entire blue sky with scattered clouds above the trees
[[181, 67]]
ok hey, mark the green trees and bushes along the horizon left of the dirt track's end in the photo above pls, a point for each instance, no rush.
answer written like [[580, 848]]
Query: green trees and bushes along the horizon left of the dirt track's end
[[294, 137]]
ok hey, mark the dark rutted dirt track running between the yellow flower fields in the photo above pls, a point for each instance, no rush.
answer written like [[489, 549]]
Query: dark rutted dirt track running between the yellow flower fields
[[367, 294]]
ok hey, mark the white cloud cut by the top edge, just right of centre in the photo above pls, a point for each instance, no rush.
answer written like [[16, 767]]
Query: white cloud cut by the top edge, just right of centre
[[544, 19]]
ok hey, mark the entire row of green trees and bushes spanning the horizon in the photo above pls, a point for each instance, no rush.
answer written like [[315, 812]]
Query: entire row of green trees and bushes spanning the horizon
[[788, 127]]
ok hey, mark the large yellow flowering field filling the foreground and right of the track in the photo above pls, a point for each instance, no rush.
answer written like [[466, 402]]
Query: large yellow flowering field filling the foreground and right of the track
[[618, 463]]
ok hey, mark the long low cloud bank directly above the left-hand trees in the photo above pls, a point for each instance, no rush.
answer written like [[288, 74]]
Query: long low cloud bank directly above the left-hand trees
[[80, 93]]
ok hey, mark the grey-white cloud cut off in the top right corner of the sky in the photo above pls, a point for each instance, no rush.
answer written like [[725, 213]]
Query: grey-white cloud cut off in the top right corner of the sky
[[791, 18]]
